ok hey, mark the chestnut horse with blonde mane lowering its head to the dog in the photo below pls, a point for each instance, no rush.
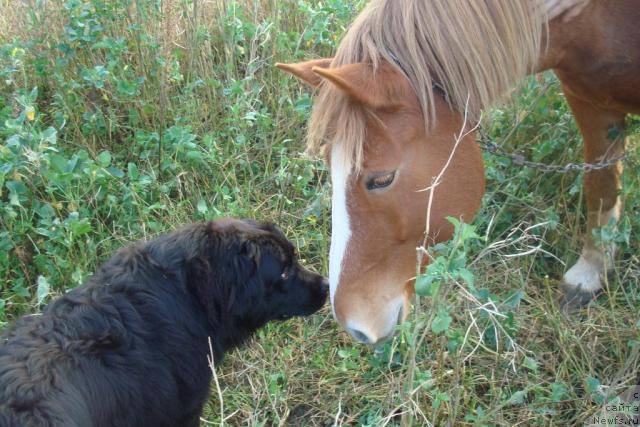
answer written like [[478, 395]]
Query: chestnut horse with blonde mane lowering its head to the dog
[[395, 108]]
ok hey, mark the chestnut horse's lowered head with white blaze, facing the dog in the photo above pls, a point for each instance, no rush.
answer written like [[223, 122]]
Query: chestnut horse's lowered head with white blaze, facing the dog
[[380, 196]]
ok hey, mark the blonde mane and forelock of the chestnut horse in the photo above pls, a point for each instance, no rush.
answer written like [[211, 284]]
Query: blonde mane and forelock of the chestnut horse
[[474, 49]]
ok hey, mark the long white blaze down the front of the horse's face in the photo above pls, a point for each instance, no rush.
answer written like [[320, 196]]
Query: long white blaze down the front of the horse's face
[[340, 227]]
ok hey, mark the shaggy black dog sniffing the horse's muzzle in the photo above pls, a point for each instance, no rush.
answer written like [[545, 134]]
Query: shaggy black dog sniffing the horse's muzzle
[[129, 347]]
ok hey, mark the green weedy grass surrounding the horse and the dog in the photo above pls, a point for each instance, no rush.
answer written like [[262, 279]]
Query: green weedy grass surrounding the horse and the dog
[[121, 119]]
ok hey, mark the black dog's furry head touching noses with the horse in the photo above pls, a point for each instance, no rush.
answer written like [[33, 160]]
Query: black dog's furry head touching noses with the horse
[[250, 274]]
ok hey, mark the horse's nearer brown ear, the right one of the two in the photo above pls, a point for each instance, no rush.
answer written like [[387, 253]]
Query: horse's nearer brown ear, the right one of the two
[[381, 87]]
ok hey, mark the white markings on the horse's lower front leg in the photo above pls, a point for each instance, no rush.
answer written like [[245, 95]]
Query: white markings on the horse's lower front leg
[[594, 261]]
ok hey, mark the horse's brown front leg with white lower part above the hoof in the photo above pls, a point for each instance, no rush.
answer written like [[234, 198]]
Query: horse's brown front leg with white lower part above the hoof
[[603, 134]]
